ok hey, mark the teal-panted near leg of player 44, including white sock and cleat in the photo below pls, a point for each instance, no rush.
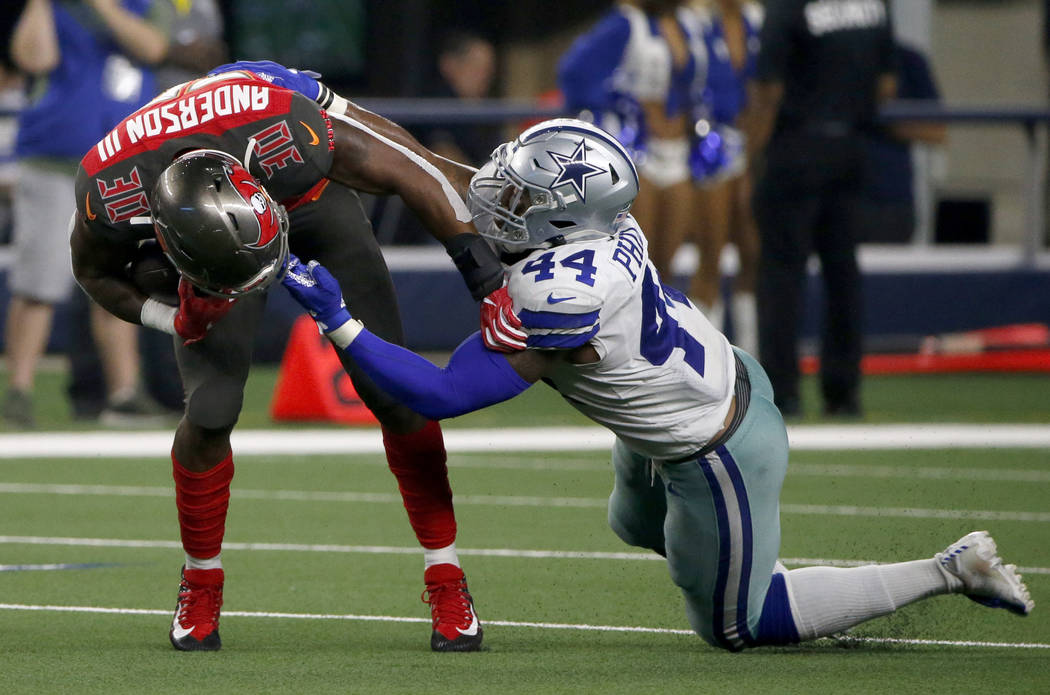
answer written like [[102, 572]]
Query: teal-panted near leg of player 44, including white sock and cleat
[[724, 536]]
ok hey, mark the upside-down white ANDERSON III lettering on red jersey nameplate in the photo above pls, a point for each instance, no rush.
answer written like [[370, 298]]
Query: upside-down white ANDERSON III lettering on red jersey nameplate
[[187, 113]]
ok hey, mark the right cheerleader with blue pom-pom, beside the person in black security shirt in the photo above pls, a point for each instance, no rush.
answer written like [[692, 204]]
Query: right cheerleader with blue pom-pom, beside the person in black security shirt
[[719, 162]]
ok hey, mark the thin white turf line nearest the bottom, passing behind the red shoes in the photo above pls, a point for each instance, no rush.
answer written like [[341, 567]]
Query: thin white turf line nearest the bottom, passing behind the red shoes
[[506, 624]]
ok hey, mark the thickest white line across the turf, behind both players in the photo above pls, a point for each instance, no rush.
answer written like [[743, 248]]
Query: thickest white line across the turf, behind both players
[[303, 443]]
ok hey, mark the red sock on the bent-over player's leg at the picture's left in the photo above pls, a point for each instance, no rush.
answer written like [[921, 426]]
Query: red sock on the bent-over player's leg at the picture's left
[[202, 500]]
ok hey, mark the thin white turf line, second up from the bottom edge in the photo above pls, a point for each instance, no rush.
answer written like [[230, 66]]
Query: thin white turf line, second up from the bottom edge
[[411, 551]]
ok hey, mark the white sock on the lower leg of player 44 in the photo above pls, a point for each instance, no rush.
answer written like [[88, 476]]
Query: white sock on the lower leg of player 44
[[830, 600]]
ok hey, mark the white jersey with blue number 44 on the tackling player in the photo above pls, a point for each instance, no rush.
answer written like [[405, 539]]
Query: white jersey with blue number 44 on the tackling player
[[664, 382]]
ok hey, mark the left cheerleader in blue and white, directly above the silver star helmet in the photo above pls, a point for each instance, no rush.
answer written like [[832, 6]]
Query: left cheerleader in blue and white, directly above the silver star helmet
[[635, 75]]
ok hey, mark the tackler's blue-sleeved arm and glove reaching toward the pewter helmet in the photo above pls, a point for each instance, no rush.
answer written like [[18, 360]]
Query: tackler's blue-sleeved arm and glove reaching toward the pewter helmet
[[476, 377]]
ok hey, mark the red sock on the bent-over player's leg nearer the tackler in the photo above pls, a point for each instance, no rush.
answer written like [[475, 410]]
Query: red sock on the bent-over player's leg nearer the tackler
[[418, 462]]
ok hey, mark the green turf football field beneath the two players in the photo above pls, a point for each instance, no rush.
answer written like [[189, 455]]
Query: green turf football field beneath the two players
[[331, 604]]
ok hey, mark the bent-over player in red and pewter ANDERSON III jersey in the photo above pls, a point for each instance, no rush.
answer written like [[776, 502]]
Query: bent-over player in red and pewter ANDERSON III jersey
[[229, 173]]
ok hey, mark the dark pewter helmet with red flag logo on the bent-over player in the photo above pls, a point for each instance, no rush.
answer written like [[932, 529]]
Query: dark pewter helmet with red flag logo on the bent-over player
[[219, 226]]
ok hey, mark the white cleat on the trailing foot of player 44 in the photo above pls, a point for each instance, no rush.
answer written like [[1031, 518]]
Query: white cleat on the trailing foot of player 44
[[974, 561]]
